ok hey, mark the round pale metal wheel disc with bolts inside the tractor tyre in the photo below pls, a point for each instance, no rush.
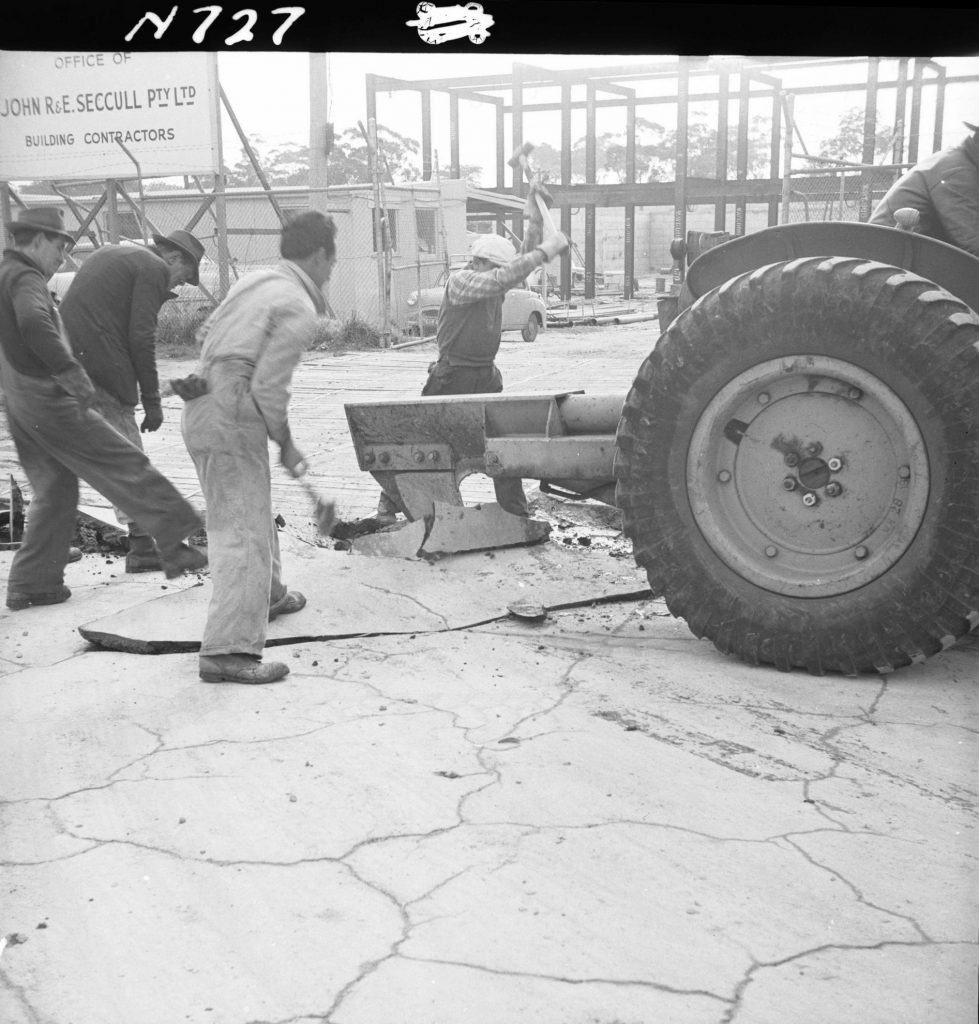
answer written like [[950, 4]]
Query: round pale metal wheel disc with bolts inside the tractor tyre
[[808, 476]]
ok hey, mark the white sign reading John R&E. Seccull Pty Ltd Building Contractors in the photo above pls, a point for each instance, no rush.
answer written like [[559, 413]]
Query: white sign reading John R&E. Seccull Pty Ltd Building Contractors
[[69, 116]]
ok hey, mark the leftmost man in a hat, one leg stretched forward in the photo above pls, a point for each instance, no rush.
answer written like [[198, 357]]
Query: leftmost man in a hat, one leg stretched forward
[[59, 437]]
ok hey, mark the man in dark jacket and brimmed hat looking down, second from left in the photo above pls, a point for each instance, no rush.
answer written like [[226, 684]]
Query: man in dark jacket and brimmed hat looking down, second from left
[[110, 313]]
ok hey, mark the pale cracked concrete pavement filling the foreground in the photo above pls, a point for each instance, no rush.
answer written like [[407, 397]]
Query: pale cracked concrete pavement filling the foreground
[[597, 820]]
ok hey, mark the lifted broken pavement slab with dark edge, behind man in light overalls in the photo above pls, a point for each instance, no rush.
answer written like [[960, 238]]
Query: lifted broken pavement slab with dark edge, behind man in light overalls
[[351, 595]]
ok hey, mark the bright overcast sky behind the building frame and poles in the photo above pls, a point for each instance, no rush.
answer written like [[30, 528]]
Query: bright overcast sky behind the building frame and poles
[[270, 94]]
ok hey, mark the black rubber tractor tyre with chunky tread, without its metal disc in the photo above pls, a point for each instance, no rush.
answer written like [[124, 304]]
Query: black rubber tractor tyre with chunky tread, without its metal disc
[[924, 345]]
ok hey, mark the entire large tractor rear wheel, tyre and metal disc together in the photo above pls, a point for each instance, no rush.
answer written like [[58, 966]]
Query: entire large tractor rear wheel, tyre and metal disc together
[[798, 467]]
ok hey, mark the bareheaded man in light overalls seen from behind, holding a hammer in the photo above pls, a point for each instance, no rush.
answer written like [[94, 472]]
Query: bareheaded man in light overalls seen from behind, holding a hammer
[[236, 403]]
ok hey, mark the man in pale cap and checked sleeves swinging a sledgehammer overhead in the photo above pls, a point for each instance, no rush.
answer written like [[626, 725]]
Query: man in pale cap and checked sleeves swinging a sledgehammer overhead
[[470, 329]]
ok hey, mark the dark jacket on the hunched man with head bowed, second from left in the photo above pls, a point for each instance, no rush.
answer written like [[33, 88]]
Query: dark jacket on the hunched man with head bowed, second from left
[[110, 313]]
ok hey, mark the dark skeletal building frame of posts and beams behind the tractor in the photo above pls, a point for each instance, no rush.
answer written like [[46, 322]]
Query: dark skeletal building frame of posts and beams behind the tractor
[[727, 82]]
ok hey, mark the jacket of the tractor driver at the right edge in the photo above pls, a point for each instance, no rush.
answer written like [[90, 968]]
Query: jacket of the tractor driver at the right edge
[[945, 189]]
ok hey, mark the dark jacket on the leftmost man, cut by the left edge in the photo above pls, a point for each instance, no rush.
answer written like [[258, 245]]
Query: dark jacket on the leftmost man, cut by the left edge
[[30, 331]]
